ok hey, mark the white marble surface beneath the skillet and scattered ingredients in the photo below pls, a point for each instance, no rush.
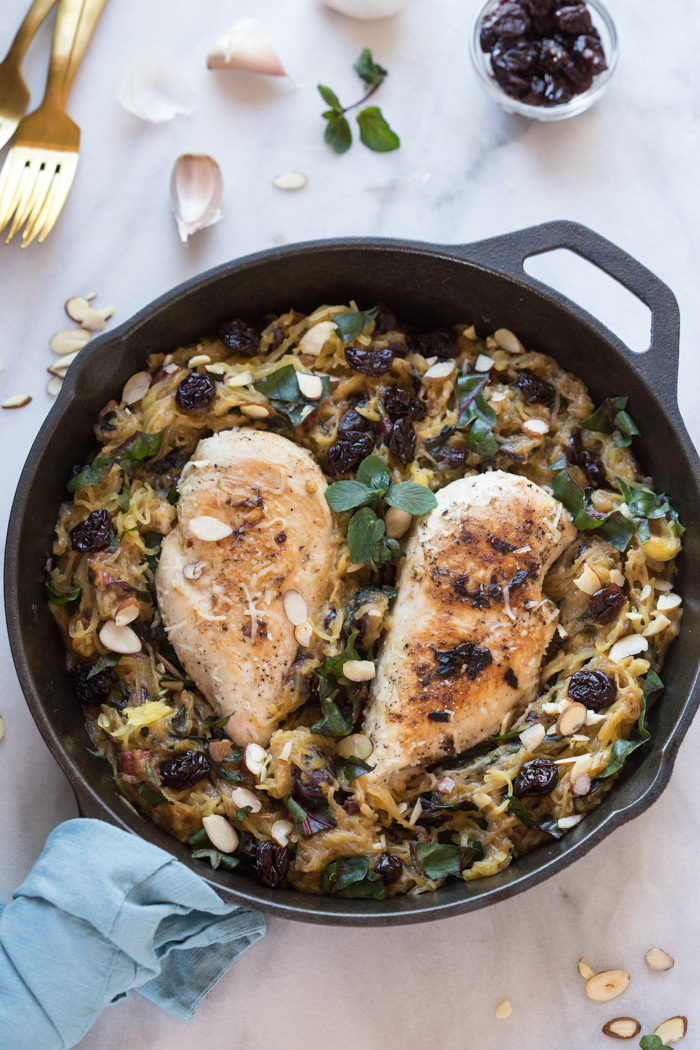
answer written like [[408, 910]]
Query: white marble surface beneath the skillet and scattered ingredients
[[464, 172]]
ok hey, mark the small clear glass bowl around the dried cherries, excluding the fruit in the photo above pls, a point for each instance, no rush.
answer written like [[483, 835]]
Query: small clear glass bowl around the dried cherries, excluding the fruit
[[482, 62]]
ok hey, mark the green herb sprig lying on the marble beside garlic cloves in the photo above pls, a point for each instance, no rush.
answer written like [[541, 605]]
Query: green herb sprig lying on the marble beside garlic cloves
[[375, 133]]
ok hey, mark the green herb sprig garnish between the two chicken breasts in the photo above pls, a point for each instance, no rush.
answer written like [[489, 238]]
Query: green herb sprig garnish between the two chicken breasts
[[373, 488]]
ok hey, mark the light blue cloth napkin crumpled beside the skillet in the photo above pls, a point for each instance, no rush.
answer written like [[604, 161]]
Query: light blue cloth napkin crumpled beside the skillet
[[103, 912]]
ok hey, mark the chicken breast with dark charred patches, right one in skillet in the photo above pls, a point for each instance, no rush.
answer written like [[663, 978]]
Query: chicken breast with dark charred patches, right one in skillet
[[470, 625]]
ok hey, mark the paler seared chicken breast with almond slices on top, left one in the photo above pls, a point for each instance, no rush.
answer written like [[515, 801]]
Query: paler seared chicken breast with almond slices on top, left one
[[222, 601]]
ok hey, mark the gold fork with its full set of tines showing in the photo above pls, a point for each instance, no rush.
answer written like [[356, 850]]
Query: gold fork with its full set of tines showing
[[39, 171]]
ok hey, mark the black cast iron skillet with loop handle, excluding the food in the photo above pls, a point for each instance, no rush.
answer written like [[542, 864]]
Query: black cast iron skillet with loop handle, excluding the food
[[483, 283]]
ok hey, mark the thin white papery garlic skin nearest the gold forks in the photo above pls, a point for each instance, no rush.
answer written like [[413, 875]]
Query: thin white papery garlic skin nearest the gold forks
[[153, 88]]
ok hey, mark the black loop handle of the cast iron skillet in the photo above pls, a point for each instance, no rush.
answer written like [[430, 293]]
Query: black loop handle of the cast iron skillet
[[660, 365]]
